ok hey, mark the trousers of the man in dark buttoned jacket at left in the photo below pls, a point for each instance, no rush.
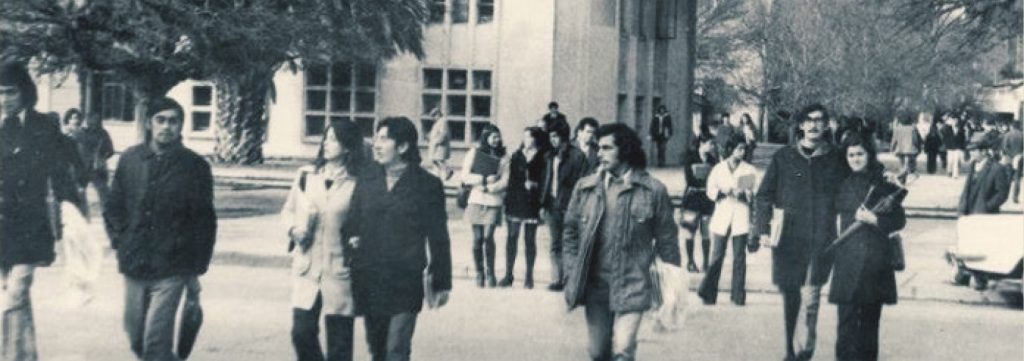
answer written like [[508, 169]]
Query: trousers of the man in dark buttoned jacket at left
[[151, 309]]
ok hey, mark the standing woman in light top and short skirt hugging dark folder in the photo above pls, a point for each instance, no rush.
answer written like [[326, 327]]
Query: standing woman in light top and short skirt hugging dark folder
[[484, 210]]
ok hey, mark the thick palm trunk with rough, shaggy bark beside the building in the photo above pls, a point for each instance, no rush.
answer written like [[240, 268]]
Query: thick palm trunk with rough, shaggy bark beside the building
[[241, 120]]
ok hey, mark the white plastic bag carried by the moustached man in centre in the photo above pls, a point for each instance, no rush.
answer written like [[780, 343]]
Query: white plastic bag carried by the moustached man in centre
[[671, 288]]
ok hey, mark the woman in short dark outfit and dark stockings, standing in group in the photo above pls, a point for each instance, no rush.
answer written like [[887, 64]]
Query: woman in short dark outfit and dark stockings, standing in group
[[523, 202]]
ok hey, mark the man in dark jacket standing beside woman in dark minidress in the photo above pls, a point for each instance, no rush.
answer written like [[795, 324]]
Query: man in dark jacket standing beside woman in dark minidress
[[566, 166]]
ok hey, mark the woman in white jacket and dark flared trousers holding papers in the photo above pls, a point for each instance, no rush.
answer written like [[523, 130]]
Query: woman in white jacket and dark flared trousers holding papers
[[732, 185]]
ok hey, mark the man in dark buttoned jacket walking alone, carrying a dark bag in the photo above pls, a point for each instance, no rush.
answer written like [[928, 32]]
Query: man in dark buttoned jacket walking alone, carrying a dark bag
[[163, 225]]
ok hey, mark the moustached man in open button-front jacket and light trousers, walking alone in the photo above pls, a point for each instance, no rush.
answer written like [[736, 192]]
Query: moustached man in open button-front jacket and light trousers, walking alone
[[619, 220]]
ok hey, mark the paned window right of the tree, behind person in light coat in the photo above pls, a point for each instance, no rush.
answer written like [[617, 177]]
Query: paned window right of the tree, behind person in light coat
[[466, 98]]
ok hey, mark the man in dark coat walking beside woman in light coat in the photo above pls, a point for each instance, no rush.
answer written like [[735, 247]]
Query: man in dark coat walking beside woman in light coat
[[400, 229]]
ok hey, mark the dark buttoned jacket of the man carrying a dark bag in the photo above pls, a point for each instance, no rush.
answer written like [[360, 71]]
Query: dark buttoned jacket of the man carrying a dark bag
[[160, 213]]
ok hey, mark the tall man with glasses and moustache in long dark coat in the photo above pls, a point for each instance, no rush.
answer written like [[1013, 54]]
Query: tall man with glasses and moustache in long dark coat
[[800, 182]]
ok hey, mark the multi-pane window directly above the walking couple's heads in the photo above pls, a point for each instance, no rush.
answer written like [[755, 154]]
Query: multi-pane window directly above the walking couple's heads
[[339, 92]]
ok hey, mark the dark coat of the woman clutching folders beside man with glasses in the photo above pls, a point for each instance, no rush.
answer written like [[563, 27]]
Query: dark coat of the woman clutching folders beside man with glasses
[[863, 272]]
